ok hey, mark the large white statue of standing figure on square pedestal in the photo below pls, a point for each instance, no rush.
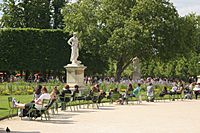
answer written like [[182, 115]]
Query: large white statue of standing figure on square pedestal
[[73, 42]]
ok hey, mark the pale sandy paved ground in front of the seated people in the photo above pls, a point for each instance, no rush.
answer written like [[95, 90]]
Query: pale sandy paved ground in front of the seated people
[[161, 117]]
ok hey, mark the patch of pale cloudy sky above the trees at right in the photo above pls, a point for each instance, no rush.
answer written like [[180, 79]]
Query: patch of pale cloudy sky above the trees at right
[[183, 6]]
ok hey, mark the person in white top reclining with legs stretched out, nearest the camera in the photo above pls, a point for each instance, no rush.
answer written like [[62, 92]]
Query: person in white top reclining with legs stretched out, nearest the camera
[[37, 102]]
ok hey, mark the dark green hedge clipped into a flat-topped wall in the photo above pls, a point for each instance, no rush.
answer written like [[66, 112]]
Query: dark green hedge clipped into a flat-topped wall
[[33, 49]]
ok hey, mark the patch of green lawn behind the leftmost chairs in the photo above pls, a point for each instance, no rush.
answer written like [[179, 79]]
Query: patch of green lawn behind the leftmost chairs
[[4, 107]]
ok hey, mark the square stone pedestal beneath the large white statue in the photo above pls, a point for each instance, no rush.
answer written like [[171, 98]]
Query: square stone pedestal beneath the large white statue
[[75, 75]]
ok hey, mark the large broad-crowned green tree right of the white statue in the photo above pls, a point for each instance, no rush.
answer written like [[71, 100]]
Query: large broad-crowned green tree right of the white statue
[[125, 29]]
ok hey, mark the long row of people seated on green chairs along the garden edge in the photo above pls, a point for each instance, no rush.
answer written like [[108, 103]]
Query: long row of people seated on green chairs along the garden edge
[[96, 93]]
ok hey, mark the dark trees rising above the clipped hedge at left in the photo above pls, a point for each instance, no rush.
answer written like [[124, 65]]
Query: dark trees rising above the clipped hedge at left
[[43, 14]]
